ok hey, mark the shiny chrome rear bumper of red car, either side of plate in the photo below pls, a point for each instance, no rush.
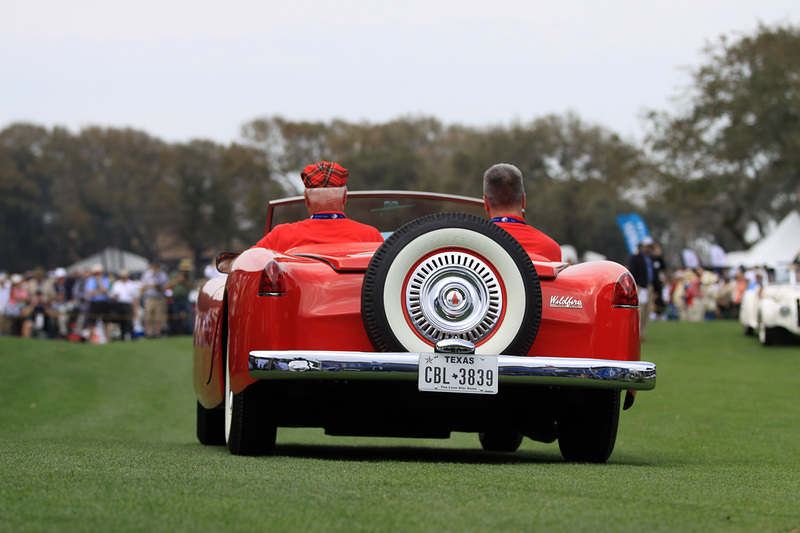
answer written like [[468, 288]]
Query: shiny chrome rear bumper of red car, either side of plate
[[560, 371]]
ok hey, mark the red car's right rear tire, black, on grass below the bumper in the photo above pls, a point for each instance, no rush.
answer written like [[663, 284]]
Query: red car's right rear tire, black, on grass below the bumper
[[587, 426]]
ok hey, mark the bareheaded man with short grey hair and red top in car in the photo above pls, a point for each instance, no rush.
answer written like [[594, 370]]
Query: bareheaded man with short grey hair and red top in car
[[504, 198]]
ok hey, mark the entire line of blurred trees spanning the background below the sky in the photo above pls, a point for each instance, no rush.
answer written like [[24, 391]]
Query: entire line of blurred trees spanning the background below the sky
[[729, 157]]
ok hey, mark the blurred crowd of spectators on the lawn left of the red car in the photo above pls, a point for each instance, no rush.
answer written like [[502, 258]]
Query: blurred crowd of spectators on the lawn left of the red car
[[96, 306]]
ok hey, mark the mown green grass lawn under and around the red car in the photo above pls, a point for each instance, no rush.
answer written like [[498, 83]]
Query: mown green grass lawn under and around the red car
[[101, 438]]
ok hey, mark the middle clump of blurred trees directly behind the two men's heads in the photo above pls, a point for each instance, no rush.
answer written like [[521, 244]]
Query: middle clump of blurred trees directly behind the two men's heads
[[577, 176]]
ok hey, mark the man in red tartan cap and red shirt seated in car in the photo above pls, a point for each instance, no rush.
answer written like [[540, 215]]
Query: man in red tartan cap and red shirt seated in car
[[325, 194]]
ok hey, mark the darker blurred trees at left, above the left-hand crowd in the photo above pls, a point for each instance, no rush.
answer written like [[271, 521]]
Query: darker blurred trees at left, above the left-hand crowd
[[64, 197]]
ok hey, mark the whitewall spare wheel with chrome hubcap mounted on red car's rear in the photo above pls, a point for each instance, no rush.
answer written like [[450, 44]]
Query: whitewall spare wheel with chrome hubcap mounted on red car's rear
[[482, 258]]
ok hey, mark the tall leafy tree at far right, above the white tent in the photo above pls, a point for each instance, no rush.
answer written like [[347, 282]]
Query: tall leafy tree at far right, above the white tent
[[731, 154]]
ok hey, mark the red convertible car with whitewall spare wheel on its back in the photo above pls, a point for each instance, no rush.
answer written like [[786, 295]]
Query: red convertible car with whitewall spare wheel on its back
[[448, 325]]
